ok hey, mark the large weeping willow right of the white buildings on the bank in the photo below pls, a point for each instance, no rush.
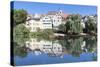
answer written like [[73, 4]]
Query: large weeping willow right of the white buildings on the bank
[[73, 24]]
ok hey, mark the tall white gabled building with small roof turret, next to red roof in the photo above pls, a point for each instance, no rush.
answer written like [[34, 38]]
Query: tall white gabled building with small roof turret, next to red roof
[[57, 18]]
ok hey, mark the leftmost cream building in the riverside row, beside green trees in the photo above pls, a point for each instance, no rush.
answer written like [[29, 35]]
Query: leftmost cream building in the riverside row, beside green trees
[[33, 23]]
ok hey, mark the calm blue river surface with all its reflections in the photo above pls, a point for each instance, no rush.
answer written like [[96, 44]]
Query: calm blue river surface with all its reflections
[[35, 51]]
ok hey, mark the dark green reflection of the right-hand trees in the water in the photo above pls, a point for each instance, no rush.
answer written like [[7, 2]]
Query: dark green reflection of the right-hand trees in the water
[[76, 46]]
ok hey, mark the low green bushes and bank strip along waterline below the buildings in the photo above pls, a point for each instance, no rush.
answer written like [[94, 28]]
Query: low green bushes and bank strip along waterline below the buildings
[[50, 34]]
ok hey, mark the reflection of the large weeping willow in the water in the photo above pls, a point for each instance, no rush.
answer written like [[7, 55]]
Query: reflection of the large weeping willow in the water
[[73, 45]]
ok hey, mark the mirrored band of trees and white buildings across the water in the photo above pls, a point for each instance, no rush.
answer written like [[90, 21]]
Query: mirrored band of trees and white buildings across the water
[[57, 48]]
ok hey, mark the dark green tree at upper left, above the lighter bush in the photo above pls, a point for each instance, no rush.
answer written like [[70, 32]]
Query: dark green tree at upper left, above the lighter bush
[[19, 16]]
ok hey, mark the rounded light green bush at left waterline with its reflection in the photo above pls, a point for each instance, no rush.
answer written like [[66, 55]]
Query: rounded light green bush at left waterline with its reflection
[[20, 34]]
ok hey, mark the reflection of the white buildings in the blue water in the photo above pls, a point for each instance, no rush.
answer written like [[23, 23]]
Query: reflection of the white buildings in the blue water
[[49, 47]]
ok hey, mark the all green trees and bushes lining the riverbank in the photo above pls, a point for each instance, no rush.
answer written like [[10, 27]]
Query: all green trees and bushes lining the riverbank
[[72, 28]]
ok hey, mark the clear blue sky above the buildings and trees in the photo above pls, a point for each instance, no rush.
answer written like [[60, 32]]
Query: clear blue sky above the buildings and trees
[[42, 8]]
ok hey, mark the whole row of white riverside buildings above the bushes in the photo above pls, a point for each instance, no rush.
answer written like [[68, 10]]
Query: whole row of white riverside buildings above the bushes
[[47, 21]]
